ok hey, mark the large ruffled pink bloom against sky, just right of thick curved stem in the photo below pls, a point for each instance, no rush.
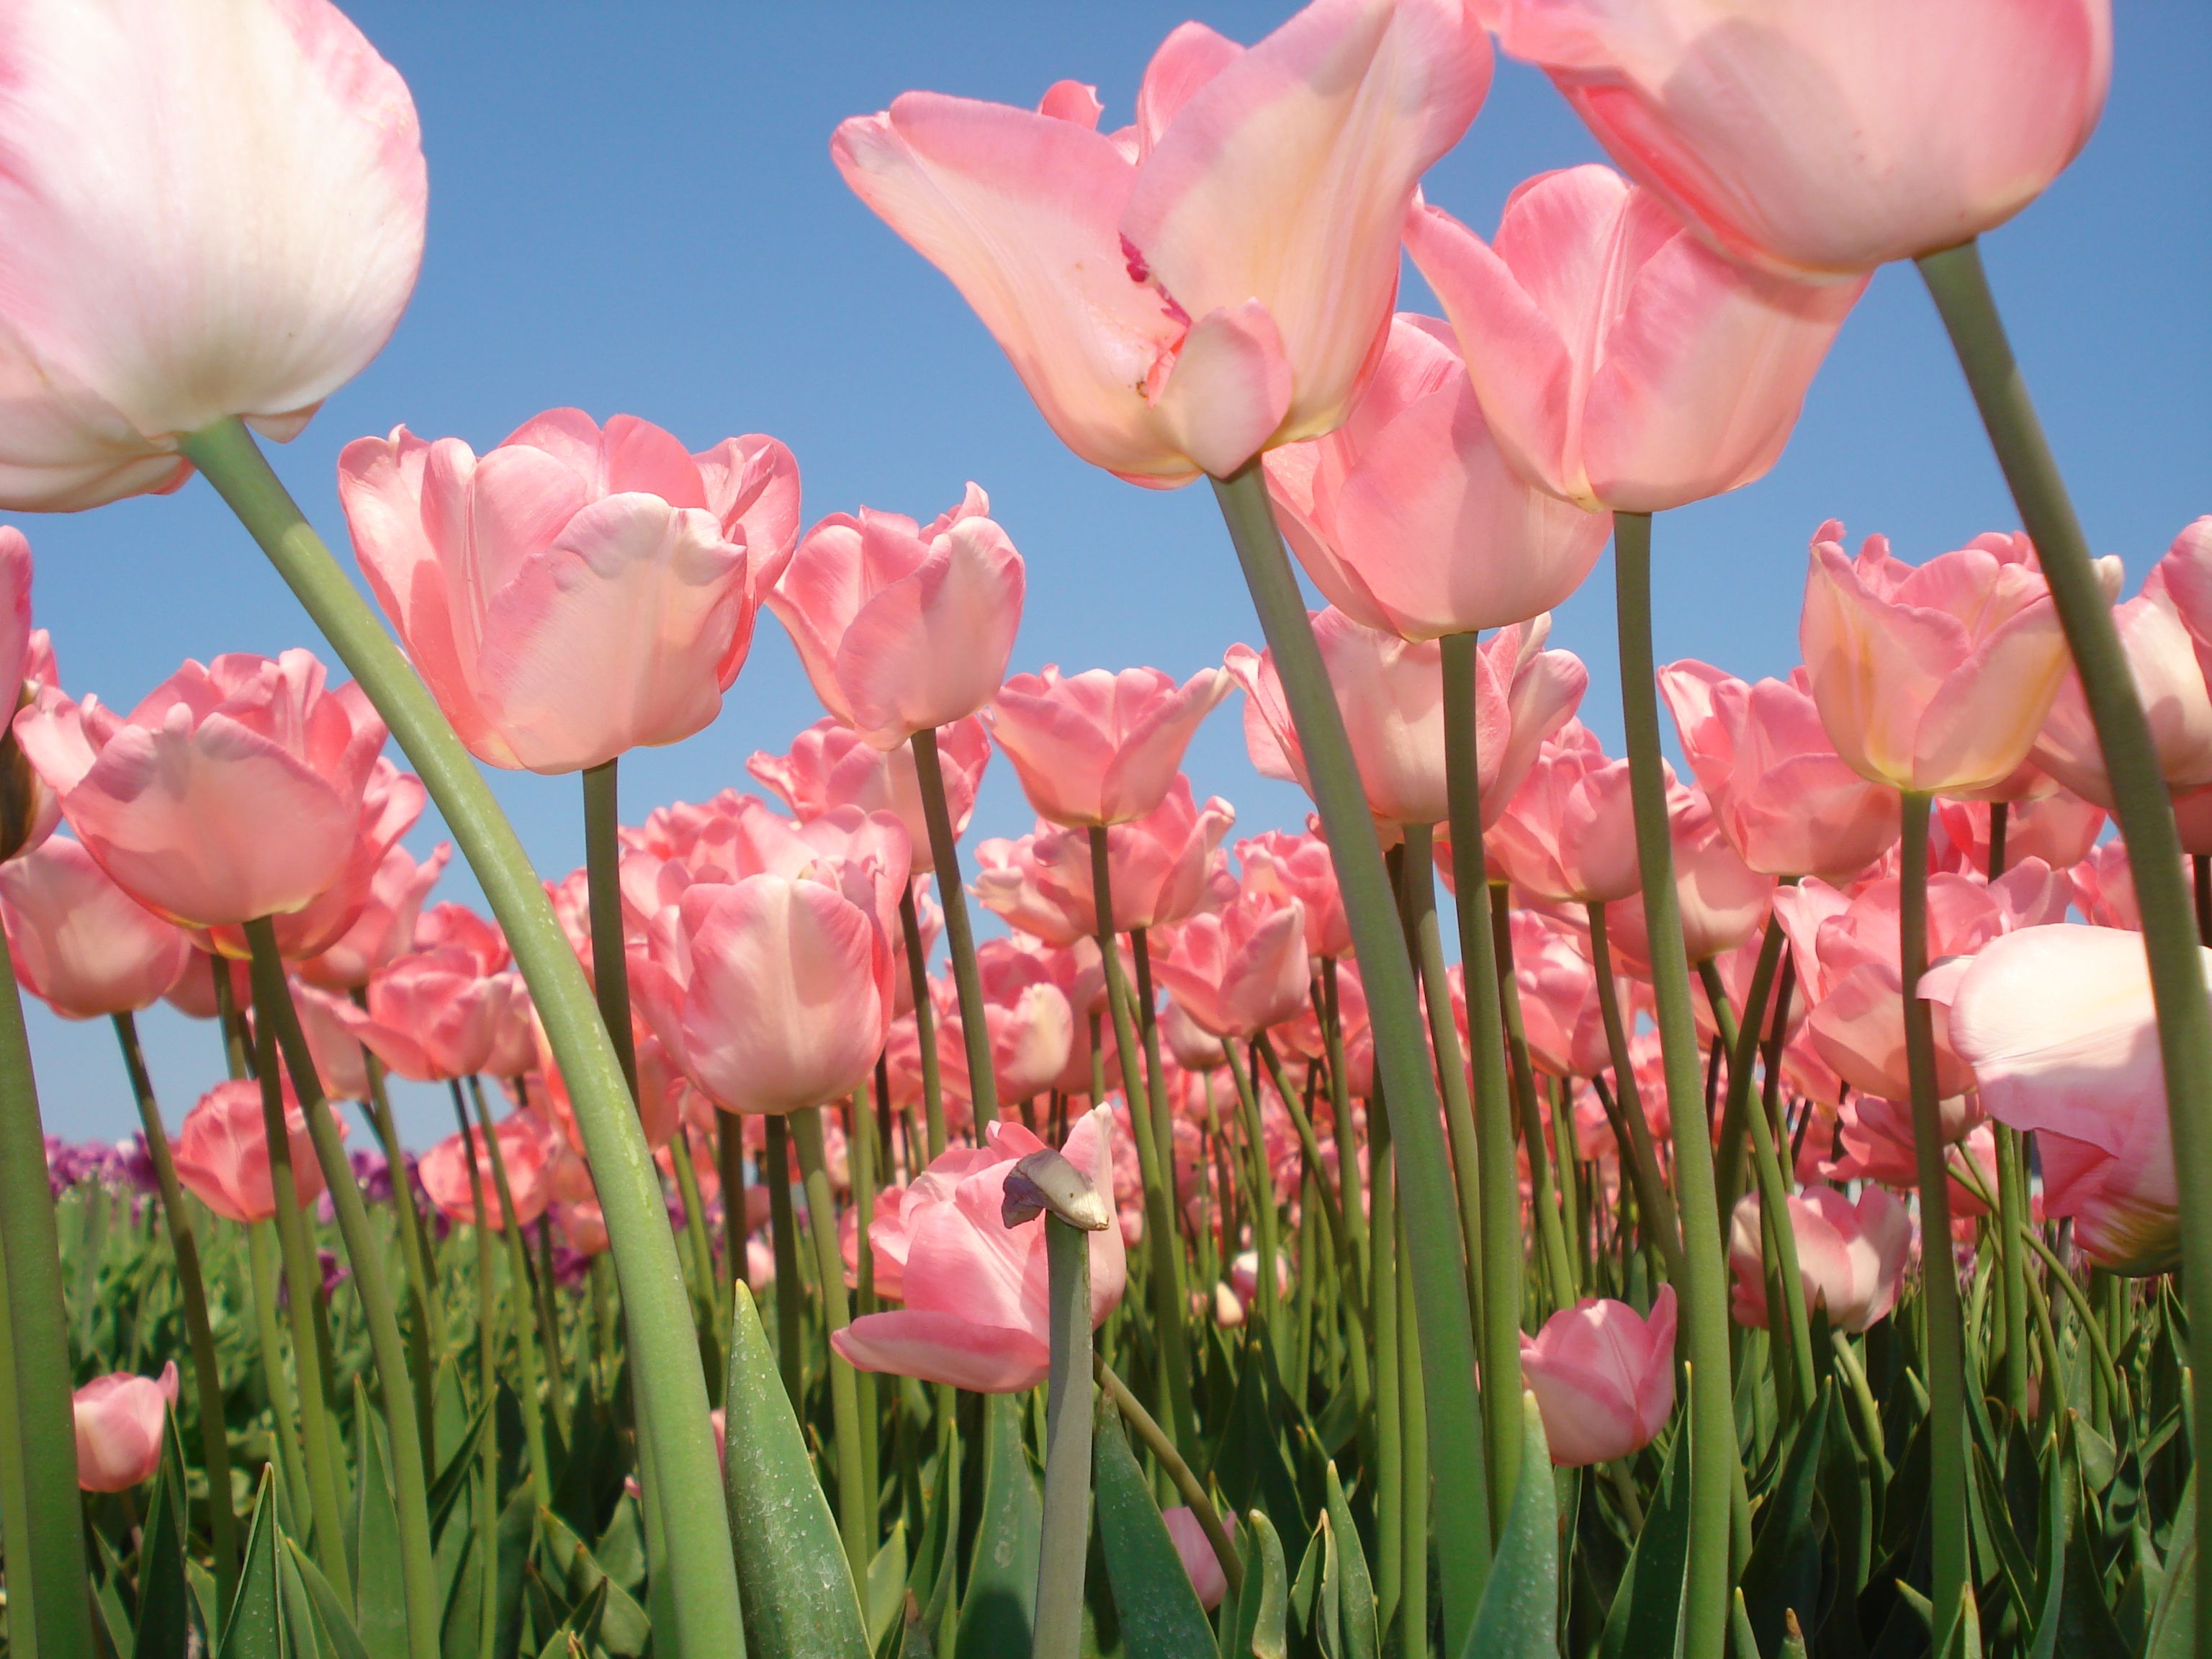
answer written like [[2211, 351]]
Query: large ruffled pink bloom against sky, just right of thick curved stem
[[578, 592]]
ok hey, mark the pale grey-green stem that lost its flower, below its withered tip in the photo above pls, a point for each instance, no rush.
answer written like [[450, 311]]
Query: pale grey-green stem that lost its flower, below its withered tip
[[1065, 1536]]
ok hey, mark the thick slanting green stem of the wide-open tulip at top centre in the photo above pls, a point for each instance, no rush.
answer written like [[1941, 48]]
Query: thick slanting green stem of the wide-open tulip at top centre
[[1434, 1255]]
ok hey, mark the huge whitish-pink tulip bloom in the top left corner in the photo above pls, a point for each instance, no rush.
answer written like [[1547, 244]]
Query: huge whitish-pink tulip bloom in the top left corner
[[211, 211]]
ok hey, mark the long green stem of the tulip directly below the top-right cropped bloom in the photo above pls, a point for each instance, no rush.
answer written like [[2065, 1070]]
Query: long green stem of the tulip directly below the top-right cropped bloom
[[1704, 1284]]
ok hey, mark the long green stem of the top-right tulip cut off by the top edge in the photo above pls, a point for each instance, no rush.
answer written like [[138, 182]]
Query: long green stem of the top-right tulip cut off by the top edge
[[2140, 804]]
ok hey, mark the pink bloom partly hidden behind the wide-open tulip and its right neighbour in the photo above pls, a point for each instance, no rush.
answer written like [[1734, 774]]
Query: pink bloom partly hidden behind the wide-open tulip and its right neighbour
[[1412, 521]]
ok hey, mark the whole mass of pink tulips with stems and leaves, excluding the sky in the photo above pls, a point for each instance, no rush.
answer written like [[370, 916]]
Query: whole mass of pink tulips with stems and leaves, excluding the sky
[[1773, 1231]]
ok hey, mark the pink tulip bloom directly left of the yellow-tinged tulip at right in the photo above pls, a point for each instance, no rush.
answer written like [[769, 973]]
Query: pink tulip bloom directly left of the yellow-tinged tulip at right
[[1788, 804]]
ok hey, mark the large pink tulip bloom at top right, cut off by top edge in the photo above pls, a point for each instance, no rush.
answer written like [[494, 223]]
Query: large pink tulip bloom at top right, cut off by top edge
[[1788, 134]]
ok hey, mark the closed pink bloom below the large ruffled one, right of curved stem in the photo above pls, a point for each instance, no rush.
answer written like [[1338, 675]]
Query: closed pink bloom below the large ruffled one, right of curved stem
[[769, 977]]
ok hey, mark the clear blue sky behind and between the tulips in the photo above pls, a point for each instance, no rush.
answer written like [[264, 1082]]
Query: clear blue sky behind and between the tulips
[[634, 211]]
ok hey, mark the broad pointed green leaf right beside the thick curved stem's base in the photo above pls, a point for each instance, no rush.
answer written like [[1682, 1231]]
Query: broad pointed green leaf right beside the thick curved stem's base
[[791, 1565]]
